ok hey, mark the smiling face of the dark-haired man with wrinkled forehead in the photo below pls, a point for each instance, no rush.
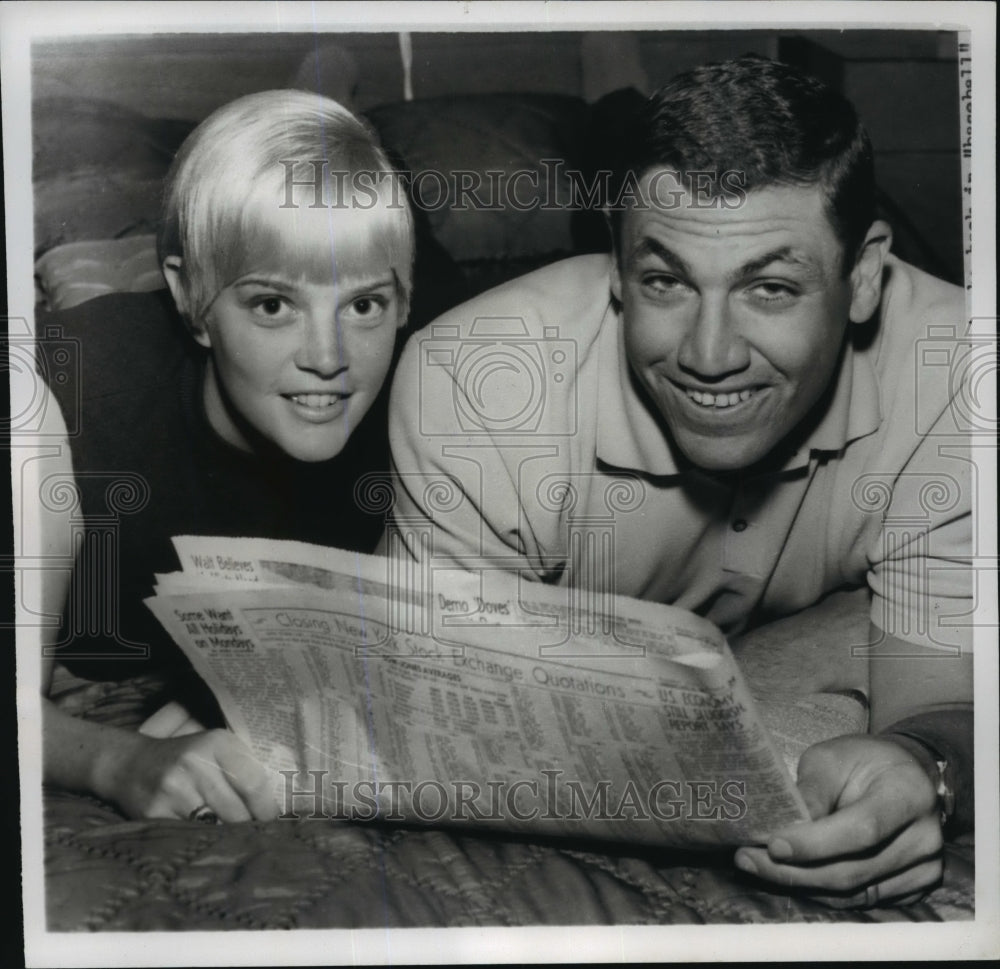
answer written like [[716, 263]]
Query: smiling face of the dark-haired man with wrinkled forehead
[[734, 318]]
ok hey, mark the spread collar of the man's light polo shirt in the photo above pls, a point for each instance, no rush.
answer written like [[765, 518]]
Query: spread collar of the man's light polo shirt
[[630, 435]]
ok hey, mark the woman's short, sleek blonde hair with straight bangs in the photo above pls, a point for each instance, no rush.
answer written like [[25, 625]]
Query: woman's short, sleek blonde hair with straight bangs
[[238, 181]]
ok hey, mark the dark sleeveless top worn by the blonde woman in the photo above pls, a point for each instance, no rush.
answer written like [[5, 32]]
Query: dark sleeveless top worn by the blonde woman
[[148, 466]]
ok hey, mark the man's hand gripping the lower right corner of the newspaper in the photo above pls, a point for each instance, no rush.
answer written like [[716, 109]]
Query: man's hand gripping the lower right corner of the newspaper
[[875, 834]]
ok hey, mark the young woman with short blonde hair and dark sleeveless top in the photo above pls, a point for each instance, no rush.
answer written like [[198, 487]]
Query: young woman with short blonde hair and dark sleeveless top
[[248, 402]]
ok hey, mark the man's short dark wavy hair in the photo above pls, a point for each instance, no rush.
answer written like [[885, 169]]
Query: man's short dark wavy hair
[[767, 121]]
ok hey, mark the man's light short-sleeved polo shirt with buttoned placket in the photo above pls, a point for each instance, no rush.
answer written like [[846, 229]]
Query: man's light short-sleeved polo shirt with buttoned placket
[[521, 441]]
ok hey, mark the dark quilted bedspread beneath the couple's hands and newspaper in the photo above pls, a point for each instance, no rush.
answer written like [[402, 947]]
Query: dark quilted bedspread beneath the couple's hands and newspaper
[[106, 873]]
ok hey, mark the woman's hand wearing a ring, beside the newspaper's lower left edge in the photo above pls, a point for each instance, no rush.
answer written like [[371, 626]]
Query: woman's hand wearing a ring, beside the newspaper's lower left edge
[[174, 777]]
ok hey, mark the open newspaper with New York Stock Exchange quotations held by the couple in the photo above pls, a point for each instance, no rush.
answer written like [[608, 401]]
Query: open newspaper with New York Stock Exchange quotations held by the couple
[[475, 699]]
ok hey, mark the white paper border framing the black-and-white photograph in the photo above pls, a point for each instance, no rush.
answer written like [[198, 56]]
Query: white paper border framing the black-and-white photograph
[[21, 22]]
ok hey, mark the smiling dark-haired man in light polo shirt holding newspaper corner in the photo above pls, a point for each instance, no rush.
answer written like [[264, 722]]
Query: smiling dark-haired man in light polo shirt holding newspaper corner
[[746, 363]]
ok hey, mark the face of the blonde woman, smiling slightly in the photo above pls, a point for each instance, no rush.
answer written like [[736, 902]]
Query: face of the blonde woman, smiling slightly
[[301, 342]]
